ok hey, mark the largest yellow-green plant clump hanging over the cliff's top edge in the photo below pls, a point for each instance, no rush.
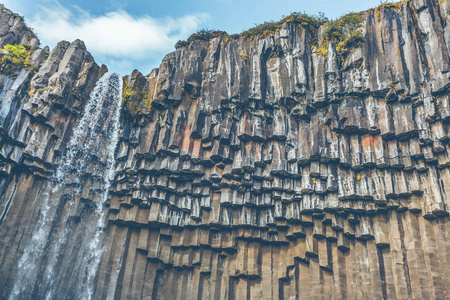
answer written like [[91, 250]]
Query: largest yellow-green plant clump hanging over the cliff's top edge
[[345, 33]]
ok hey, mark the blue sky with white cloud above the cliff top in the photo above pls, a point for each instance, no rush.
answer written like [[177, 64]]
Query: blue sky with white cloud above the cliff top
[[126, 35]]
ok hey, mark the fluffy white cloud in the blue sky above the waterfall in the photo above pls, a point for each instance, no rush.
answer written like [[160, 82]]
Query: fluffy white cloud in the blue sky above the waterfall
[[116, 33]]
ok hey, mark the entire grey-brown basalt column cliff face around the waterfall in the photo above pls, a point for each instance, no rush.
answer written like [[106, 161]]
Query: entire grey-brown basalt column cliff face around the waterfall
[[245, 168]]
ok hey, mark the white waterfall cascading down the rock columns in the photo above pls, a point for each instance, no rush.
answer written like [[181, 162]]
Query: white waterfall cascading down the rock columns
[[61, 259]]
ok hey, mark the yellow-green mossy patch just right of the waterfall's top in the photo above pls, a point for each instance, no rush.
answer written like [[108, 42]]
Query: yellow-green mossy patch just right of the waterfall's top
[[135, 101]]
